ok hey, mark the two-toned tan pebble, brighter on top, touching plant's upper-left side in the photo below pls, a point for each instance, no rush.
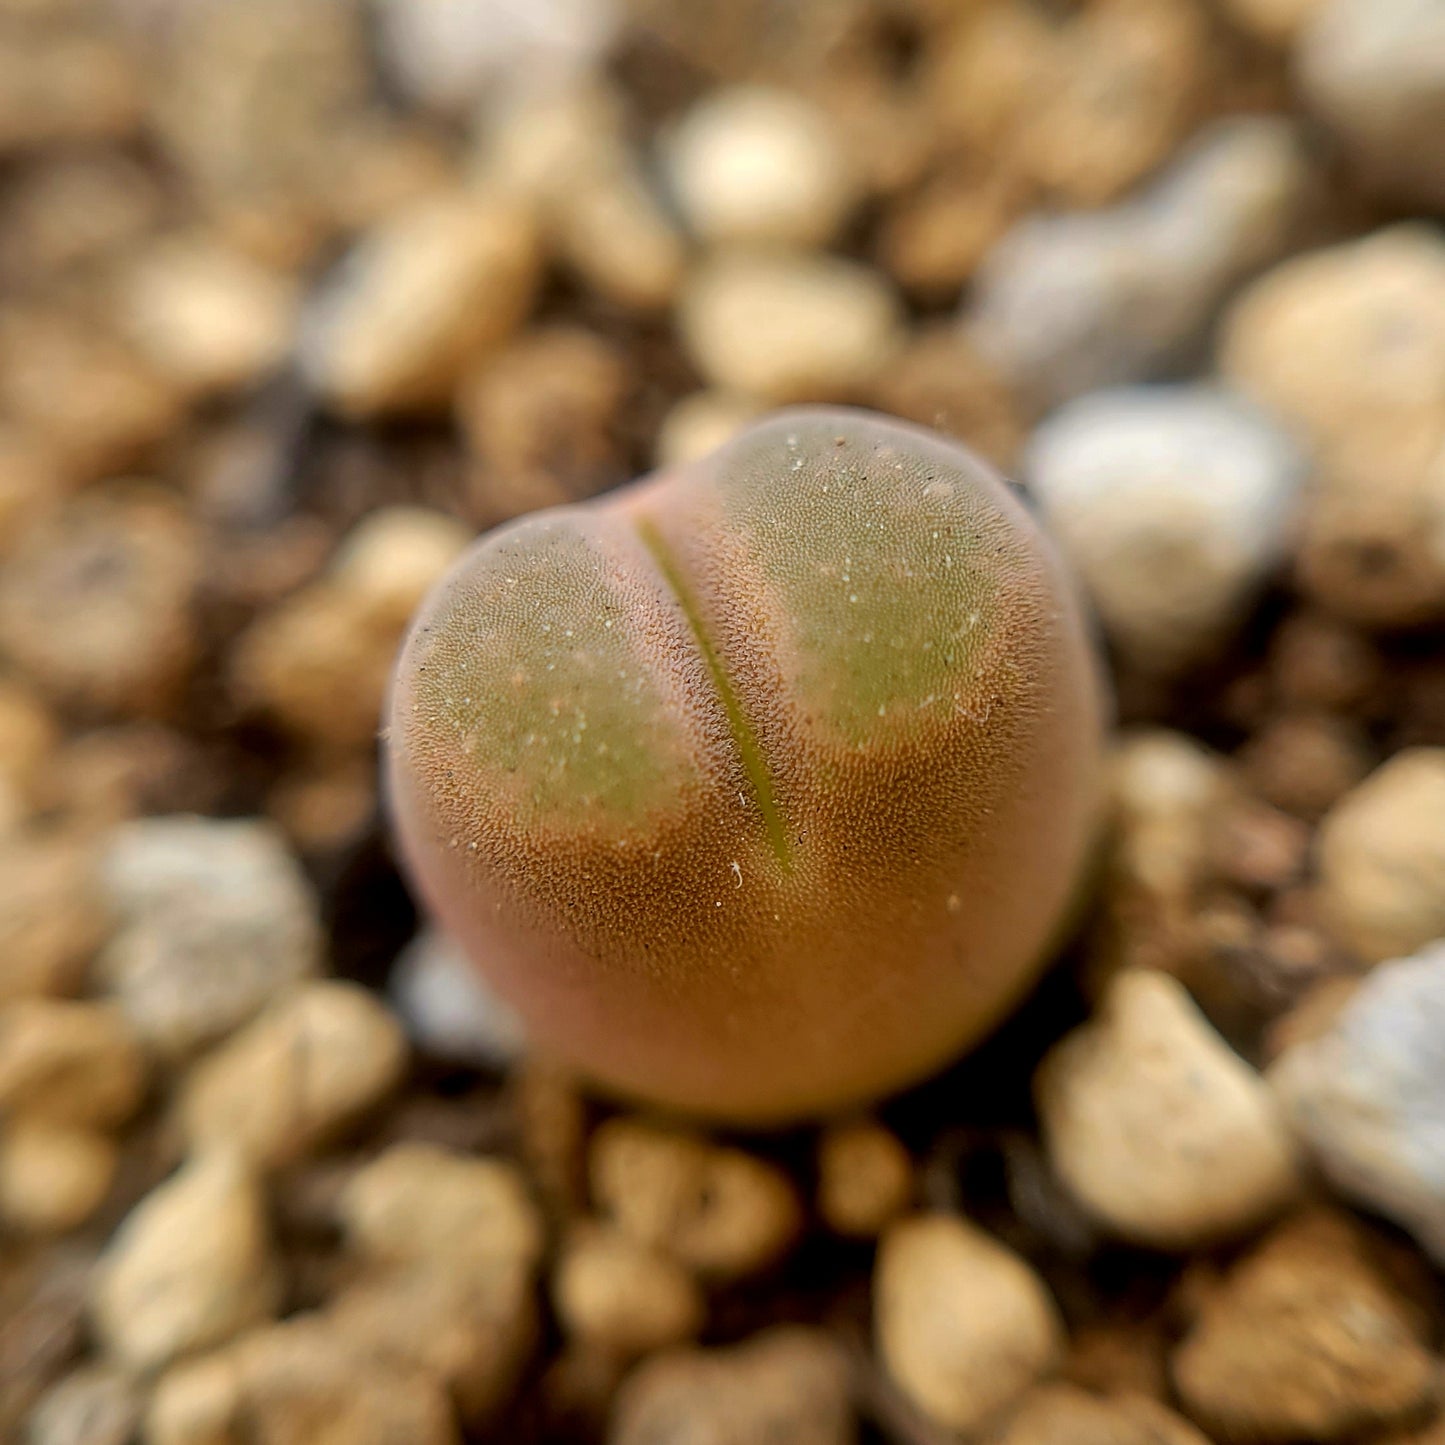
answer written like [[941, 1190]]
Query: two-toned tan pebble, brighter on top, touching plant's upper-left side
[[320, 661]]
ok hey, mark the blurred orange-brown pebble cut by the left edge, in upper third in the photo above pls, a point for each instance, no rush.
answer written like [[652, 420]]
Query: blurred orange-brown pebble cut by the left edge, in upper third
[[96, 405]]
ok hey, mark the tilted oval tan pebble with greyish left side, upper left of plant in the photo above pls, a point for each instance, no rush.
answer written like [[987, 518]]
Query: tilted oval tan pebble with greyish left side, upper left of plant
[[420, 300]]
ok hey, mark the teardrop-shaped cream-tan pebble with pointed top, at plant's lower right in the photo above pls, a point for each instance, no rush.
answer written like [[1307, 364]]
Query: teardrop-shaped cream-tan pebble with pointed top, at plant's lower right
[[1158, 1128]]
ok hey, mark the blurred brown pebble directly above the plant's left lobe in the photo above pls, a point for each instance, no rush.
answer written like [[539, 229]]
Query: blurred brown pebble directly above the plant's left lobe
[[543, 421]]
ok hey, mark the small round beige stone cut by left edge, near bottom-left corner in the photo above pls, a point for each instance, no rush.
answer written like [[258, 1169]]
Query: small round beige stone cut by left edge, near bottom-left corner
[[53, 1177]]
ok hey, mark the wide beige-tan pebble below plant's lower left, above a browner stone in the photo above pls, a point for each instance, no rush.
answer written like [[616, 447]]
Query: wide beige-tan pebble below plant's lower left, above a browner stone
[[421, 1203]]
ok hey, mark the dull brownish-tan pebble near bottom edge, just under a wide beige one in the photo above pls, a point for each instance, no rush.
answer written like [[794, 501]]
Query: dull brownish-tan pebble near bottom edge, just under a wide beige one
[[472, 1330]]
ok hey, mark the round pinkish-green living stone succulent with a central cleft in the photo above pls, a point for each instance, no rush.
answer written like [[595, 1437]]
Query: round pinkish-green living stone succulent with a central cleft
[[759, 787]]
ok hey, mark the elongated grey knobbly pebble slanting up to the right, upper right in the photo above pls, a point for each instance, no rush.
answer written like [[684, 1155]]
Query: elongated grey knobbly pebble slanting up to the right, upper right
[[1073, 303]]
